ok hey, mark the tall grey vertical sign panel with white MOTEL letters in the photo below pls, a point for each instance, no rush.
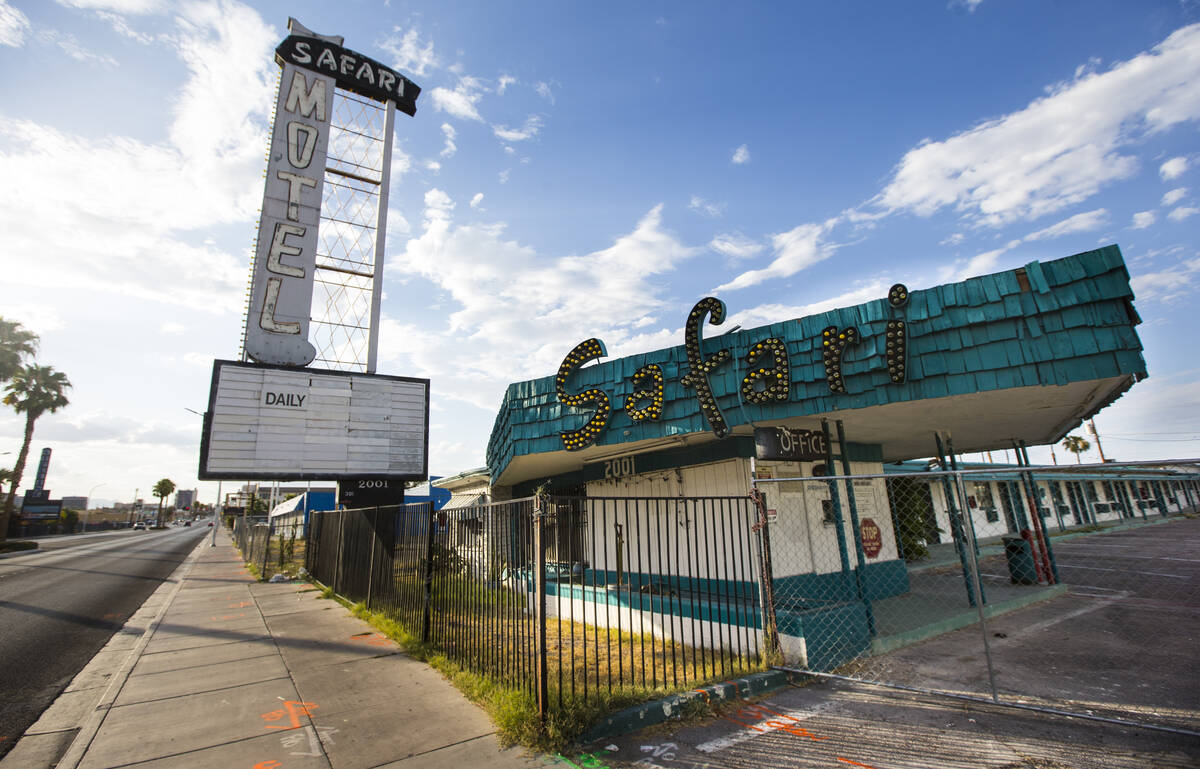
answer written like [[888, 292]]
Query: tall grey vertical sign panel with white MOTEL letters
[[285, 259]]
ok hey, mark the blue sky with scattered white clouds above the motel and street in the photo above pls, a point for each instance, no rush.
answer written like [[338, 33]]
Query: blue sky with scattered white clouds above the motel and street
[[585, 170]]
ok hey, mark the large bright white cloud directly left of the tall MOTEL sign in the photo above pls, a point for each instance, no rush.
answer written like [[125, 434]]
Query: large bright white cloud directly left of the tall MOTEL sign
[[135, 239]]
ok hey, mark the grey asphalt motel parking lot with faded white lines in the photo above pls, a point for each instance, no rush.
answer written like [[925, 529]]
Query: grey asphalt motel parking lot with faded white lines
[[1120, 645]]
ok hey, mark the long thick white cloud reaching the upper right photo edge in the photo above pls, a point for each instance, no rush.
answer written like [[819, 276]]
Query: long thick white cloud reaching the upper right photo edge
[[1043, 159]]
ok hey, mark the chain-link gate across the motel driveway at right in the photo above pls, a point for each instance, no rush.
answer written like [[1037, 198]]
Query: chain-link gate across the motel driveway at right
[[1073, 590]]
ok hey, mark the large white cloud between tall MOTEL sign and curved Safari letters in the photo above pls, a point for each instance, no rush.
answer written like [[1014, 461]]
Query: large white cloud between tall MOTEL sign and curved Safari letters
[[517, 313]]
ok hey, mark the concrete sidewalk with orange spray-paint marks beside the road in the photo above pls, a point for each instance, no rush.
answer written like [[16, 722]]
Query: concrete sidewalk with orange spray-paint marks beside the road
[[219, 671]]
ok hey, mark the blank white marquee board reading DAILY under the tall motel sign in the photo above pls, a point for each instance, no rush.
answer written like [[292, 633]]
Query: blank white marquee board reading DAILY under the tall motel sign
[[275, 423]]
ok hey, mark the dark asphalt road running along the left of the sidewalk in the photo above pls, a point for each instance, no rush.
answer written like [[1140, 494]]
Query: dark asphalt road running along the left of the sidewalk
[[59, 606]]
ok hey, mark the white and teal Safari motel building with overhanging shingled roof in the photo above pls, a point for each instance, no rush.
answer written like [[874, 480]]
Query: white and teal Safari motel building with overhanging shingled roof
[[998, 362]]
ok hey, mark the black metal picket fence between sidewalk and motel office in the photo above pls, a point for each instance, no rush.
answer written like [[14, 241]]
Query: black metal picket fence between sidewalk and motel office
[[566, 598]]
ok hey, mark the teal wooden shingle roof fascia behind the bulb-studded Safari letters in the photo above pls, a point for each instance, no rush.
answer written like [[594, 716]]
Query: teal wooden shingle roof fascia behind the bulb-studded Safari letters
[[1076, 323]]
